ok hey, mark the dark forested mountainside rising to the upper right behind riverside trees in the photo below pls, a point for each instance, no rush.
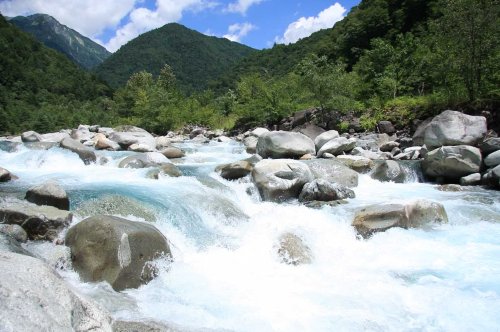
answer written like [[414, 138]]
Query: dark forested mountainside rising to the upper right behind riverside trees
[[345, 41]]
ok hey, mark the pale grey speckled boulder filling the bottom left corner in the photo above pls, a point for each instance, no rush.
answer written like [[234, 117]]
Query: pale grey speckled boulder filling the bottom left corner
[[34, 298]]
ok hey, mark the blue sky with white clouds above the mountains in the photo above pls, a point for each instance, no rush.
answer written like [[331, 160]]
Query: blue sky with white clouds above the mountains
[[257, 23]]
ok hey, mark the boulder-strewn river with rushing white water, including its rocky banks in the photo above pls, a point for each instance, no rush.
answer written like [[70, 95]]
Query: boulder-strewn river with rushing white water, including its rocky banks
[[116, 229]]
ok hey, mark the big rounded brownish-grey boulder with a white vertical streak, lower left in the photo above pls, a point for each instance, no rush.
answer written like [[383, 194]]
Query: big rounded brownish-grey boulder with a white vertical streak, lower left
[[116, 250]]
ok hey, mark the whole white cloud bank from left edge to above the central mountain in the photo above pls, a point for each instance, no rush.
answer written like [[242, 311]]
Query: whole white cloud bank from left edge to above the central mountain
[[92, 17]]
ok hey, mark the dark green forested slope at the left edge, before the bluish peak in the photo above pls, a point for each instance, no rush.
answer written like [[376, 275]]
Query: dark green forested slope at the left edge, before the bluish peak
[[42, 89]]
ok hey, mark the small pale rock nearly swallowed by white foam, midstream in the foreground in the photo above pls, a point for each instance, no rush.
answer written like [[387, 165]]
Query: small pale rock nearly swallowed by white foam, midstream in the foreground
[[292, 250]]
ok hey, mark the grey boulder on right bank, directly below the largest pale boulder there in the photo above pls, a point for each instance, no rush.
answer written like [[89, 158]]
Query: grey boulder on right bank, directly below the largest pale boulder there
[[452, 162]]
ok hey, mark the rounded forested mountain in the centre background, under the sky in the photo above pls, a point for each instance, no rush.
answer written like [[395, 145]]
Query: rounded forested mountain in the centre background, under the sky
[[196, 59]]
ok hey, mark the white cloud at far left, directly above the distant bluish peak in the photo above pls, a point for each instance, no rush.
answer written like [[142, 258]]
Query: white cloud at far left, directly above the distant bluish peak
[[90, 17]]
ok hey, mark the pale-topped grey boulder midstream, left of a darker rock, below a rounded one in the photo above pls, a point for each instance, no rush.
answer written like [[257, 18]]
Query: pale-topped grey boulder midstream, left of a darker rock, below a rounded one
[[279, 180]]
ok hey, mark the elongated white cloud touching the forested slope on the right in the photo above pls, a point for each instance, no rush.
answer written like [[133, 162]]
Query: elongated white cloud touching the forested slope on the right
[[305, 26]]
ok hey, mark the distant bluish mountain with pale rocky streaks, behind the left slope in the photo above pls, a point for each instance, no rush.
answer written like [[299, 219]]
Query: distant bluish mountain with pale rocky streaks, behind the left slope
[[53, 34]]
